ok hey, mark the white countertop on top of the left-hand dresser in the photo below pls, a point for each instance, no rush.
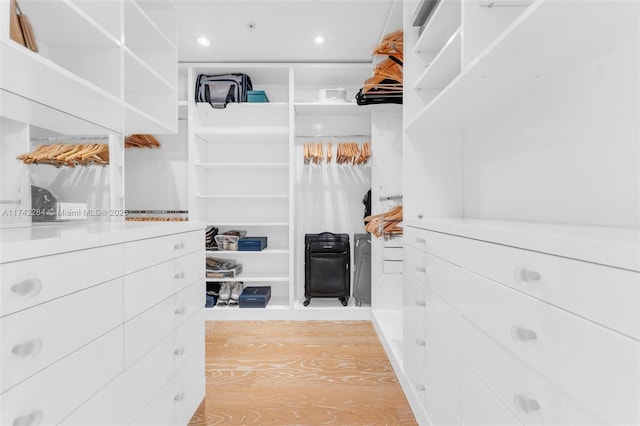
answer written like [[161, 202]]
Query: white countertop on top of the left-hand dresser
[[46, 239]]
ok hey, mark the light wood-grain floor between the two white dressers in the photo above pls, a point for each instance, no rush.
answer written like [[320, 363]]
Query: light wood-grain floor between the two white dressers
[[299, 373]]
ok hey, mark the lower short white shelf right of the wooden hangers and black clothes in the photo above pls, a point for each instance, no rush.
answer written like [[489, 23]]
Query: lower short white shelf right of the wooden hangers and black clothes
[[444, 67]]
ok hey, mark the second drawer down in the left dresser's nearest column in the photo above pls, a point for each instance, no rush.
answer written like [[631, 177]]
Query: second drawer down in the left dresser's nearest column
[[37, 337]]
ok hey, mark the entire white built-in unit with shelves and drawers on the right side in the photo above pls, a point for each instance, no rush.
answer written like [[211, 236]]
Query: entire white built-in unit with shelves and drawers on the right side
[[526, 150]]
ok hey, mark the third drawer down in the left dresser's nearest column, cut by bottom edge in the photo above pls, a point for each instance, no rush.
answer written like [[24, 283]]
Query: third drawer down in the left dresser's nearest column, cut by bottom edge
[[53, 394]]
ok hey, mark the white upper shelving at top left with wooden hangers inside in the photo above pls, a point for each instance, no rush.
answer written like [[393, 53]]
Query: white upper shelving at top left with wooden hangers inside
[[109, 63]]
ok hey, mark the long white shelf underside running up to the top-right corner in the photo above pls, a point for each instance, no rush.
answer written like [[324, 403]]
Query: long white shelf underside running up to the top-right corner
[[519, 61]]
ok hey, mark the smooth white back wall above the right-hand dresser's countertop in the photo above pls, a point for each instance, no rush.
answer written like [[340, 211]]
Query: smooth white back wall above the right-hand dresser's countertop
[[517, 163]]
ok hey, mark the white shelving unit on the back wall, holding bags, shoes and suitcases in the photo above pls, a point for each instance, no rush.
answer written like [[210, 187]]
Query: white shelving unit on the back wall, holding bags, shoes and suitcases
[[247, 164]]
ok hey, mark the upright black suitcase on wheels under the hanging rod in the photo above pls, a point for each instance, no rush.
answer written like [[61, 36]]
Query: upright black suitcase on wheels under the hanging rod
[[327, 266]]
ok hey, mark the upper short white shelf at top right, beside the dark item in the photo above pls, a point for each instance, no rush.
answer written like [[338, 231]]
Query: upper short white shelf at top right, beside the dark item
[[443, 22]]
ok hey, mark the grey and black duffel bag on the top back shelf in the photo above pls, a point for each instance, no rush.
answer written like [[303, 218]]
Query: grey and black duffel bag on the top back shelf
[[219, 90]]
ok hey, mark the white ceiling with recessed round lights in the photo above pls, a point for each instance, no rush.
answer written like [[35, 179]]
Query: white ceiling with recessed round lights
[[284, 30]]
